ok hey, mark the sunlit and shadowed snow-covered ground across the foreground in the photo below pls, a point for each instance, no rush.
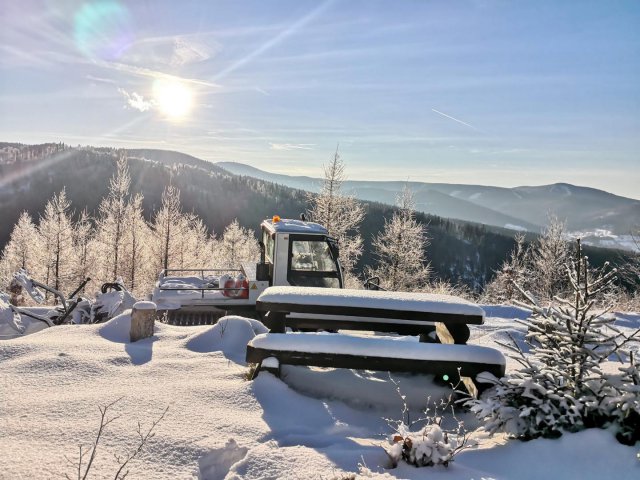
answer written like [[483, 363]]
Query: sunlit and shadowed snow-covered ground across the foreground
[[312, 424]]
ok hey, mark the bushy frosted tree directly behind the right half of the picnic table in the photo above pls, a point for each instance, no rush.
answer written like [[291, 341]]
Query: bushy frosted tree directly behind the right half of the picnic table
[[400, 249]]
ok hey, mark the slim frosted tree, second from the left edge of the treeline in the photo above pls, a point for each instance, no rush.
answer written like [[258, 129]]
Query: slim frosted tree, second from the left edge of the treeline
[[56, 231]]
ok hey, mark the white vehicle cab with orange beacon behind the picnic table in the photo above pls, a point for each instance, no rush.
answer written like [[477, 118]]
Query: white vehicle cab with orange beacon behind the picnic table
[[300, 253]]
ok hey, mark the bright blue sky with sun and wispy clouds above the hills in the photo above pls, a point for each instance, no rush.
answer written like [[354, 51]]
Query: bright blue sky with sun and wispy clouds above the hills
[[491, 92]]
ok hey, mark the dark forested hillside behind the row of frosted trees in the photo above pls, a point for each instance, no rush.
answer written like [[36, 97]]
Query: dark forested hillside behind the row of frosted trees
[[459, 252]]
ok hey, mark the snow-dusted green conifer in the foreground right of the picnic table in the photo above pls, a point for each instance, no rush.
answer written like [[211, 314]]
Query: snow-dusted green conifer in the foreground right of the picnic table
[[560, 384]]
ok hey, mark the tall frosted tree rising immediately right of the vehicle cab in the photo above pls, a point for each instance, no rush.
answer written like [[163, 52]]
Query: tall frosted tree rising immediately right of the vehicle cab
[[341, 215]]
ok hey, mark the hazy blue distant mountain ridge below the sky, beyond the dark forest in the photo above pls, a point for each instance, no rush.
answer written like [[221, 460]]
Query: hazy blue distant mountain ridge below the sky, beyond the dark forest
[[601, 216]]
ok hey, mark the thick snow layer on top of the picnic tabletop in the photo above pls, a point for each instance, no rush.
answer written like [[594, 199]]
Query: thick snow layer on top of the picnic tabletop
[[410, 301]]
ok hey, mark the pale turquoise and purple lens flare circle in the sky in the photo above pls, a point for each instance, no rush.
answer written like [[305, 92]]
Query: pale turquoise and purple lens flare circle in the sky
[[103, 30]]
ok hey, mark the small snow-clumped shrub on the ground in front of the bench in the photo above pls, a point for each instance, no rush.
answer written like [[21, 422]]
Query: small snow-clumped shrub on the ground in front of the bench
[[432, 444]]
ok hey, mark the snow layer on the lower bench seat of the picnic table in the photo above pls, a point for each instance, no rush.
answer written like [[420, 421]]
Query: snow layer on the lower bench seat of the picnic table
[[375, 347]]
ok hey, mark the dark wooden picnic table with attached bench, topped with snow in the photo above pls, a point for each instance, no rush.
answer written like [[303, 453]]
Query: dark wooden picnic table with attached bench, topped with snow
[[341, 309]]
